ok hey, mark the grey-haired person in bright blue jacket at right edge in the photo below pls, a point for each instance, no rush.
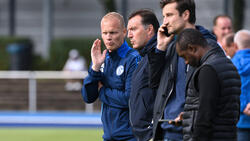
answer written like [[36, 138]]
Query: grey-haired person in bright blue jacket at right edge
[[241, 60]]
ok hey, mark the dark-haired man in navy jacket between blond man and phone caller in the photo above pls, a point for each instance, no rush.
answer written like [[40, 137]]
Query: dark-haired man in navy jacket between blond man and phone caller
[[142, 28]]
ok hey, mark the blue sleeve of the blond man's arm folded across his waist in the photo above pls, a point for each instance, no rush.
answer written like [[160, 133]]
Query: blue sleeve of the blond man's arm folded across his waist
[[119, 97]]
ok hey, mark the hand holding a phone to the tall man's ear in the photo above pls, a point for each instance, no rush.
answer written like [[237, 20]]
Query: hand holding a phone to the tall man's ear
[[162, 39]]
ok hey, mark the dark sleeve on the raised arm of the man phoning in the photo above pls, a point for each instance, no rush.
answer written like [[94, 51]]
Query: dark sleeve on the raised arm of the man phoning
[[156, 65]]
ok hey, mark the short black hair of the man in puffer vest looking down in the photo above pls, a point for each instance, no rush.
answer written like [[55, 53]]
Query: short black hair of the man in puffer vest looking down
[[190, 37]]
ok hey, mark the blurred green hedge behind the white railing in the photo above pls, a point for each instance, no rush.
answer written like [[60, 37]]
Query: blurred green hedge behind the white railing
[[58, 53]]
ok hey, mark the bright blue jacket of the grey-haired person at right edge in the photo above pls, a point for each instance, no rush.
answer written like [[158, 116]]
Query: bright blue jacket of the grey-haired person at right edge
[[242, 62]]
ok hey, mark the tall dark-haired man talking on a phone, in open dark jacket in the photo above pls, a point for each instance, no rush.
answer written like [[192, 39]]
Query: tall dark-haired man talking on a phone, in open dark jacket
[[167, 71]]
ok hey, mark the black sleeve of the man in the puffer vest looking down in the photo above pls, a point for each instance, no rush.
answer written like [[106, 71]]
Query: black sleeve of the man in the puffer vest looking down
[[209, 89]]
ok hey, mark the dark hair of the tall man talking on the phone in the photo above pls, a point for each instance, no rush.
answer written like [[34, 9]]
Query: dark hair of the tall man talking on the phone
[[183, 5]]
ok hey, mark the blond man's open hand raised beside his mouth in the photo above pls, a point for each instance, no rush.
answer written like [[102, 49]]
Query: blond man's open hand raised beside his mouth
[[97, 55]]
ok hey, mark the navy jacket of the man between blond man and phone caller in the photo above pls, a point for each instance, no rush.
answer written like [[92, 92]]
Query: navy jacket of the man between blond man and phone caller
[[142, 97]]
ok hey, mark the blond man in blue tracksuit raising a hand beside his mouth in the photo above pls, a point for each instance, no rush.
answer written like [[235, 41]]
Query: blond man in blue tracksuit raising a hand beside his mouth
[[109, 78]]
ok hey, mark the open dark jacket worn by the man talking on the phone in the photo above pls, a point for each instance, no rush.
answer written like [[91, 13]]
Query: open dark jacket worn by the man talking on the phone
[[162, 70]]
